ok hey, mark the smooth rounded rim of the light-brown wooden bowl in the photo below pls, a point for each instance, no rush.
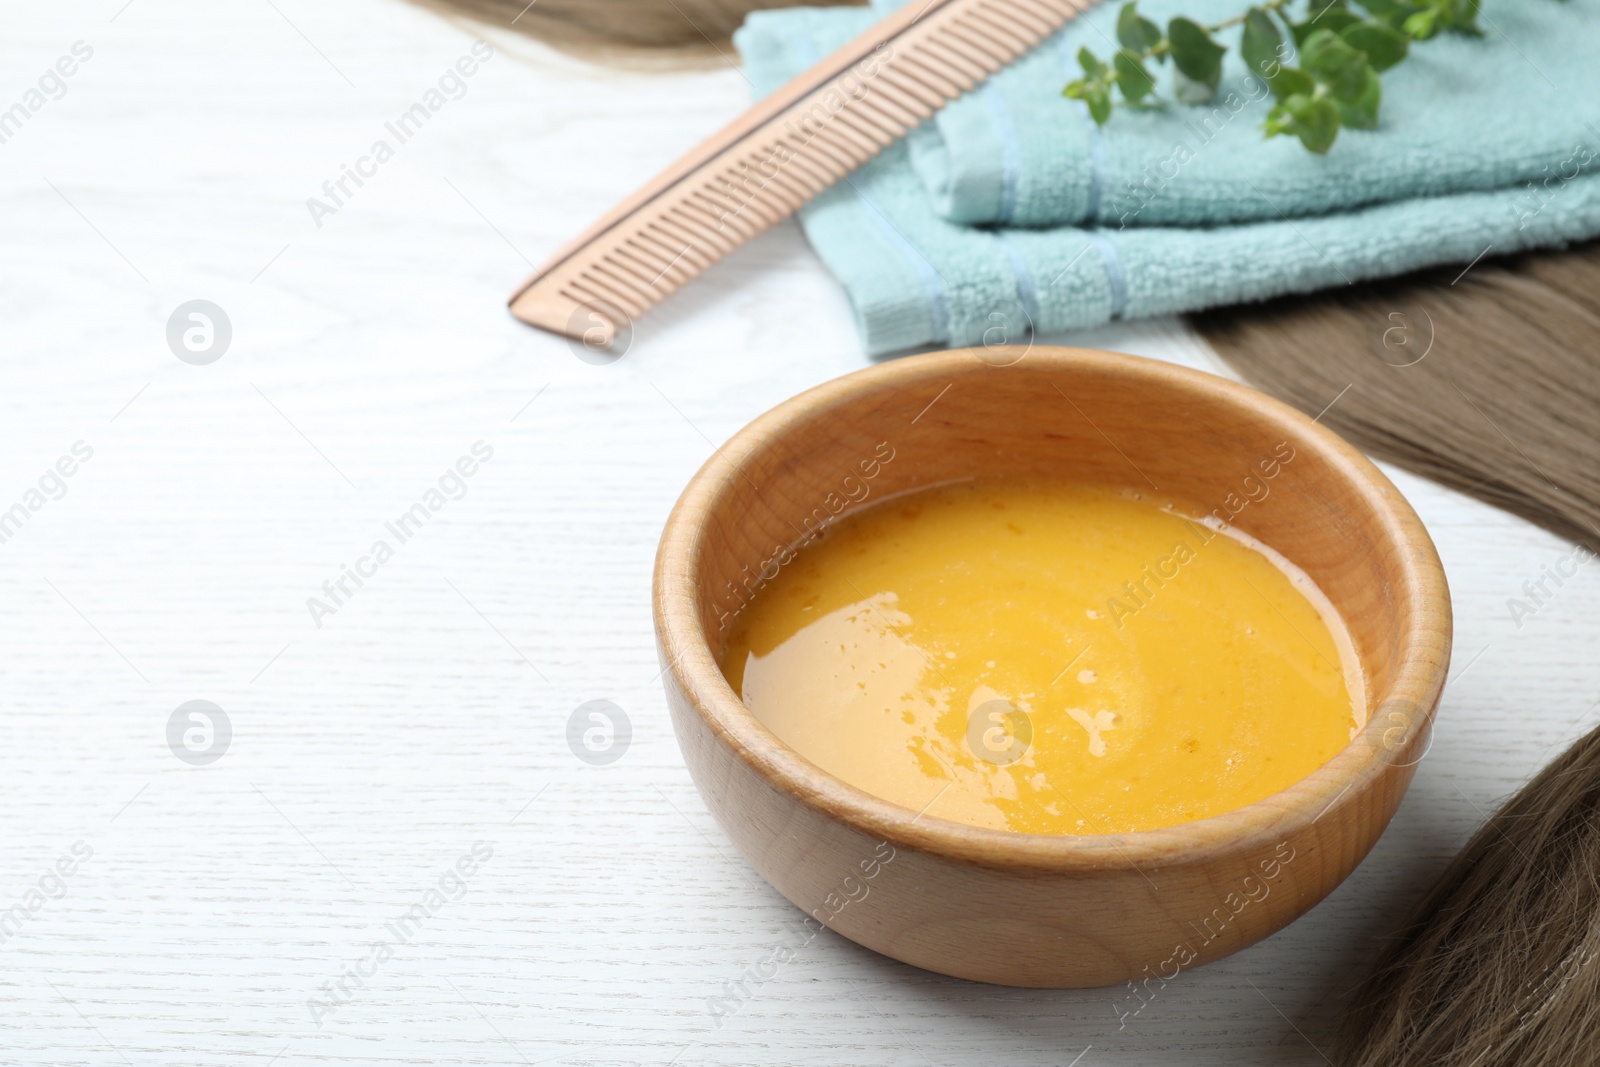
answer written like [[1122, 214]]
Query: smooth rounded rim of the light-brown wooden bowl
[[1425, 639]]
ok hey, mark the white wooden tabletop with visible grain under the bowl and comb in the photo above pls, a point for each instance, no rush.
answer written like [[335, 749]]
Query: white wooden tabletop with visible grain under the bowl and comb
[[214, 911]]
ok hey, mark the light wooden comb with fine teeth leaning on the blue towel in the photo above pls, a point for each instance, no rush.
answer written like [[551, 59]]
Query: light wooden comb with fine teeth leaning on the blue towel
[[778, 156]]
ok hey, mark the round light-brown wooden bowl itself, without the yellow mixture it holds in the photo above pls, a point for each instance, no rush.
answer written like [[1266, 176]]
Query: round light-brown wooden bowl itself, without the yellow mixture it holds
[[1033, 909]]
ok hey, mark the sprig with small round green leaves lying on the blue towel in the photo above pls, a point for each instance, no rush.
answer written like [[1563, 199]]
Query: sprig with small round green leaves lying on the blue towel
[[1340, 47]]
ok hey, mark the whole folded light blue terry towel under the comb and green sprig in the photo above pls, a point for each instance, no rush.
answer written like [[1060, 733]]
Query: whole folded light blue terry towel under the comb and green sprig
[[916, 278]]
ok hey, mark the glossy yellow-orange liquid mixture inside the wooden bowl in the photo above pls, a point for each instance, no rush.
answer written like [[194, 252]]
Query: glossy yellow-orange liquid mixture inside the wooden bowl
[[1047, 660]]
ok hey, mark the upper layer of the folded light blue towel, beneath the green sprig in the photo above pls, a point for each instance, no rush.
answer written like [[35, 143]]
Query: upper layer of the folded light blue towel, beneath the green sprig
[[1460, 114]]
